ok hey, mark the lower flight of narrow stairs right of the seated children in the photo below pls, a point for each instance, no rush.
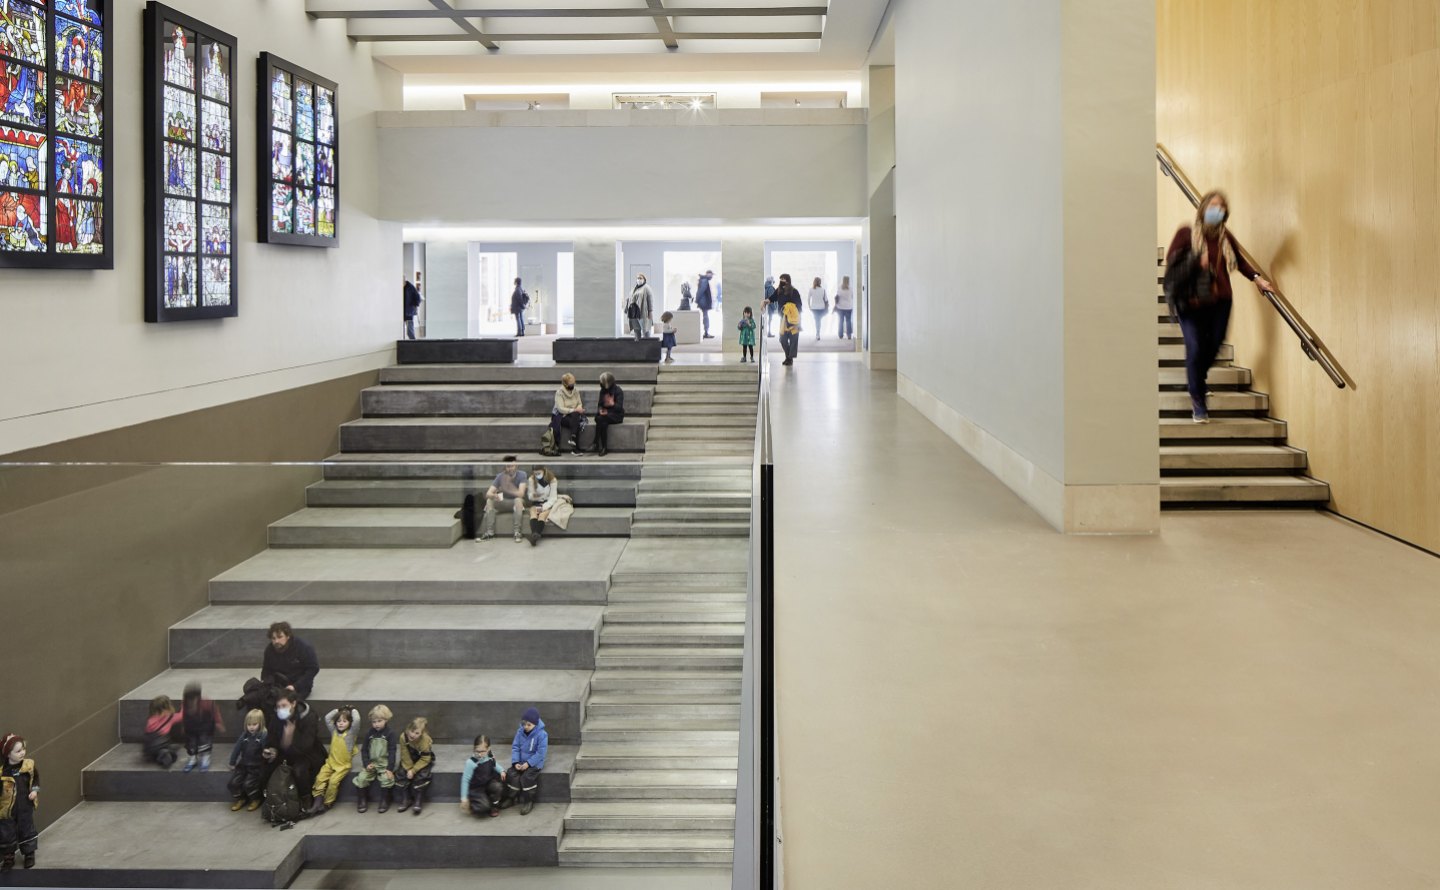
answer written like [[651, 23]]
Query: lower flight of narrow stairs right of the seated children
[[656, 777]]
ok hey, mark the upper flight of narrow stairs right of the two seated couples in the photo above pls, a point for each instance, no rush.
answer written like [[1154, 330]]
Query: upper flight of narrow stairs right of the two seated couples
[[696, 477]]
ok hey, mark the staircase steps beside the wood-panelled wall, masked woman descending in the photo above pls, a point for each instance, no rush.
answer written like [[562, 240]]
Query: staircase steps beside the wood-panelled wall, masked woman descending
[[1242, 457]]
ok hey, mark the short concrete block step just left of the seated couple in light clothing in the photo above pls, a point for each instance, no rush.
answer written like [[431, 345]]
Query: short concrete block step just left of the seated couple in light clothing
[[366, 528]]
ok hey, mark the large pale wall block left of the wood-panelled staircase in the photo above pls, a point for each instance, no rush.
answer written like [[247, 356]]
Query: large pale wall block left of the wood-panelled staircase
[[1025, 145]]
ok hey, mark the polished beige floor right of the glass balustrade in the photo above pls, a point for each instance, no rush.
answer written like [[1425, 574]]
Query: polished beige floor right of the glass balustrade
[[968, 699]]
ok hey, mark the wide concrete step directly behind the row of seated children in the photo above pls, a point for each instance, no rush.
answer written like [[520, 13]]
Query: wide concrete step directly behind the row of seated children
[[460, 704]]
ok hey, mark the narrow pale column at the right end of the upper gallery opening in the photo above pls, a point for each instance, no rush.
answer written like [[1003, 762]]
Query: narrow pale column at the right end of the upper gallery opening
[[878, 307]]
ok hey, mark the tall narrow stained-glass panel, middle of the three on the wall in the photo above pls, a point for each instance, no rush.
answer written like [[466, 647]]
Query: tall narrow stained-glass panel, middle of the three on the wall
[[189, 169]]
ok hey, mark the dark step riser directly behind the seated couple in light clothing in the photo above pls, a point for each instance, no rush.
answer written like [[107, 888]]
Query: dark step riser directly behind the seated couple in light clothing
[[451, 493]]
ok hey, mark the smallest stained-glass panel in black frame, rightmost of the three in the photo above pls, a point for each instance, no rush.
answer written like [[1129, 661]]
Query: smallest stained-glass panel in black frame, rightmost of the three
[[299, 156]]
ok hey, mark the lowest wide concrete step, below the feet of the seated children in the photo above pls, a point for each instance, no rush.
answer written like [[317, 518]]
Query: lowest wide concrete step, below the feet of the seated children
[[204, 845]]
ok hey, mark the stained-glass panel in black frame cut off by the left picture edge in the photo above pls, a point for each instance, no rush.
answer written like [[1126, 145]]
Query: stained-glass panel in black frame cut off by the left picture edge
[[55, 136]]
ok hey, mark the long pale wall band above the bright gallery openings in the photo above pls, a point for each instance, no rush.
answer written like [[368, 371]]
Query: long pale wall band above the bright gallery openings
[[618, 166]]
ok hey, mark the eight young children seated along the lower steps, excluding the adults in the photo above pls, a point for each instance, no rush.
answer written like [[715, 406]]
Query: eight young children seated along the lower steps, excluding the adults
[[404, 761]]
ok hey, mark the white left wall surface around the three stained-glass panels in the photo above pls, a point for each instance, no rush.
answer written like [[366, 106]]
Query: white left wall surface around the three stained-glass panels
[[78, 356]]
